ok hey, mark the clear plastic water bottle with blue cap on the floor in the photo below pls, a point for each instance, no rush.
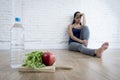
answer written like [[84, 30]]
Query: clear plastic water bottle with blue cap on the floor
[[17, 44]]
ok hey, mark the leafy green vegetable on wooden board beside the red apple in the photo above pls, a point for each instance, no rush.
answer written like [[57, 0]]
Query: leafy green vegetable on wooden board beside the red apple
[[34, 60]]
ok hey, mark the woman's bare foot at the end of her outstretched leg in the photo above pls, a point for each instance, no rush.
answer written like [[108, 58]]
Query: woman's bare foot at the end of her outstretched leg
[[100, 50]]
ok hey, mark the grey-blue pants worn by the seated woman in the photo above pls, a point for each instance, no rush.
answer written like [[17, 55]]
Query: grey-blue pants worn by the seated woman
[[75, 46]]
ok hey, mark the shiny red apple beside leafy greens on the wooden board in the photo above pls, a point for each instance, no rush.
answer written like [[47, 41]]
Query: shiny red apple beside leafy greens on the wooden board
[[48, 58]]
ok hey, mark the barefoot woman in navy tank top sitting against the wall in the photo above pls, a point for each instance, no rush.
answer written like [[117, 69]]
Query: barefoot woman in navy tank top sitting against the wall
[[79, 35]]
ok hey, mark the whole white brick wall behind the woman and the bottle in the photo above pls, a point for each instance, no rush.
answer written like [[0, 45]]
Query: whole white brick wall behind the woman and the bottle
[[46, 21]]
